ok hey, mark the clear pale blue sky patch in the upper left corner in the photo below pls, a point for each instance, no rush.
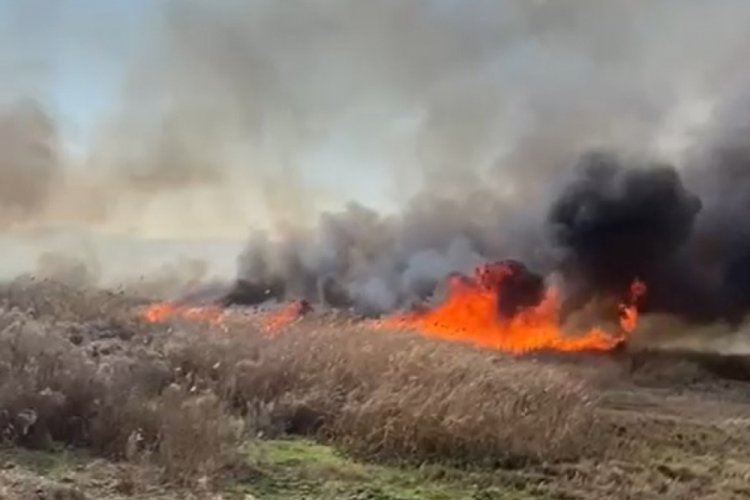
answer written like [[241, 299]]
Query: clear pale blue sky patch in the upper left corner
[[60, 62]]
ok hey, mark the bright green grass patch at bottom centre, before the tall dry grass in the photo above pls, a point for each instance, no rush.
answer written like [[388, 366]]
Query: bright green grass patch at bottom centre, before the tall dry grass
[[301, 469]]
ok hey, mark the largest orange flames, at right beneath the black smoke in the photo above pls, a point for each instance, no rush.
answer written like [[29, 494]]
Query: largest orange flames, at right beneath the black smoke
[[470, 313]]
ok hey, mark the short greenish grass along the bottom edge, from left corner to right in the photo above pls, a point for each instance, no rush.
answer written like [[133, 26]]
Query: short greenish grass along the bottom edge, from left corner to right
[[297, 469]]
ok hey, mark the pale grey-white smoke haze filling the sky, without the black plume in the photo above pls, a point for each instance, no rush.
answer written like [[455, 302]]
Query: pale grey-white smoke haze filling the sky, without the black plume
[[455, 119]]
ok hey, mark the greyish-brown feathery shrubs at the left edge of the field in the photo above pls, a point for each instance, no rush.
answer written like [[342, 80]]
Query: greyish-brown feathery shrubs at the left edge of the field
[[53, 391]]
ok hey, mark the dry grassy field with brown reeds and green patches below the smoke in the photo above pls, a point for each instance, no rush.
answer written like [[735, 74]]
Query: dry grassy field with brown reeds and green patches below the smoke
[[96, 403]]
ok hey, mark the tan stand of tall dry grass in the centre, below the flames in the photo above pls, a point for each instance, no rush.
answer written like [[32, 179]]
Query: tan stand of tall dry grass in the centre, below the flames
[[392, 394]]
